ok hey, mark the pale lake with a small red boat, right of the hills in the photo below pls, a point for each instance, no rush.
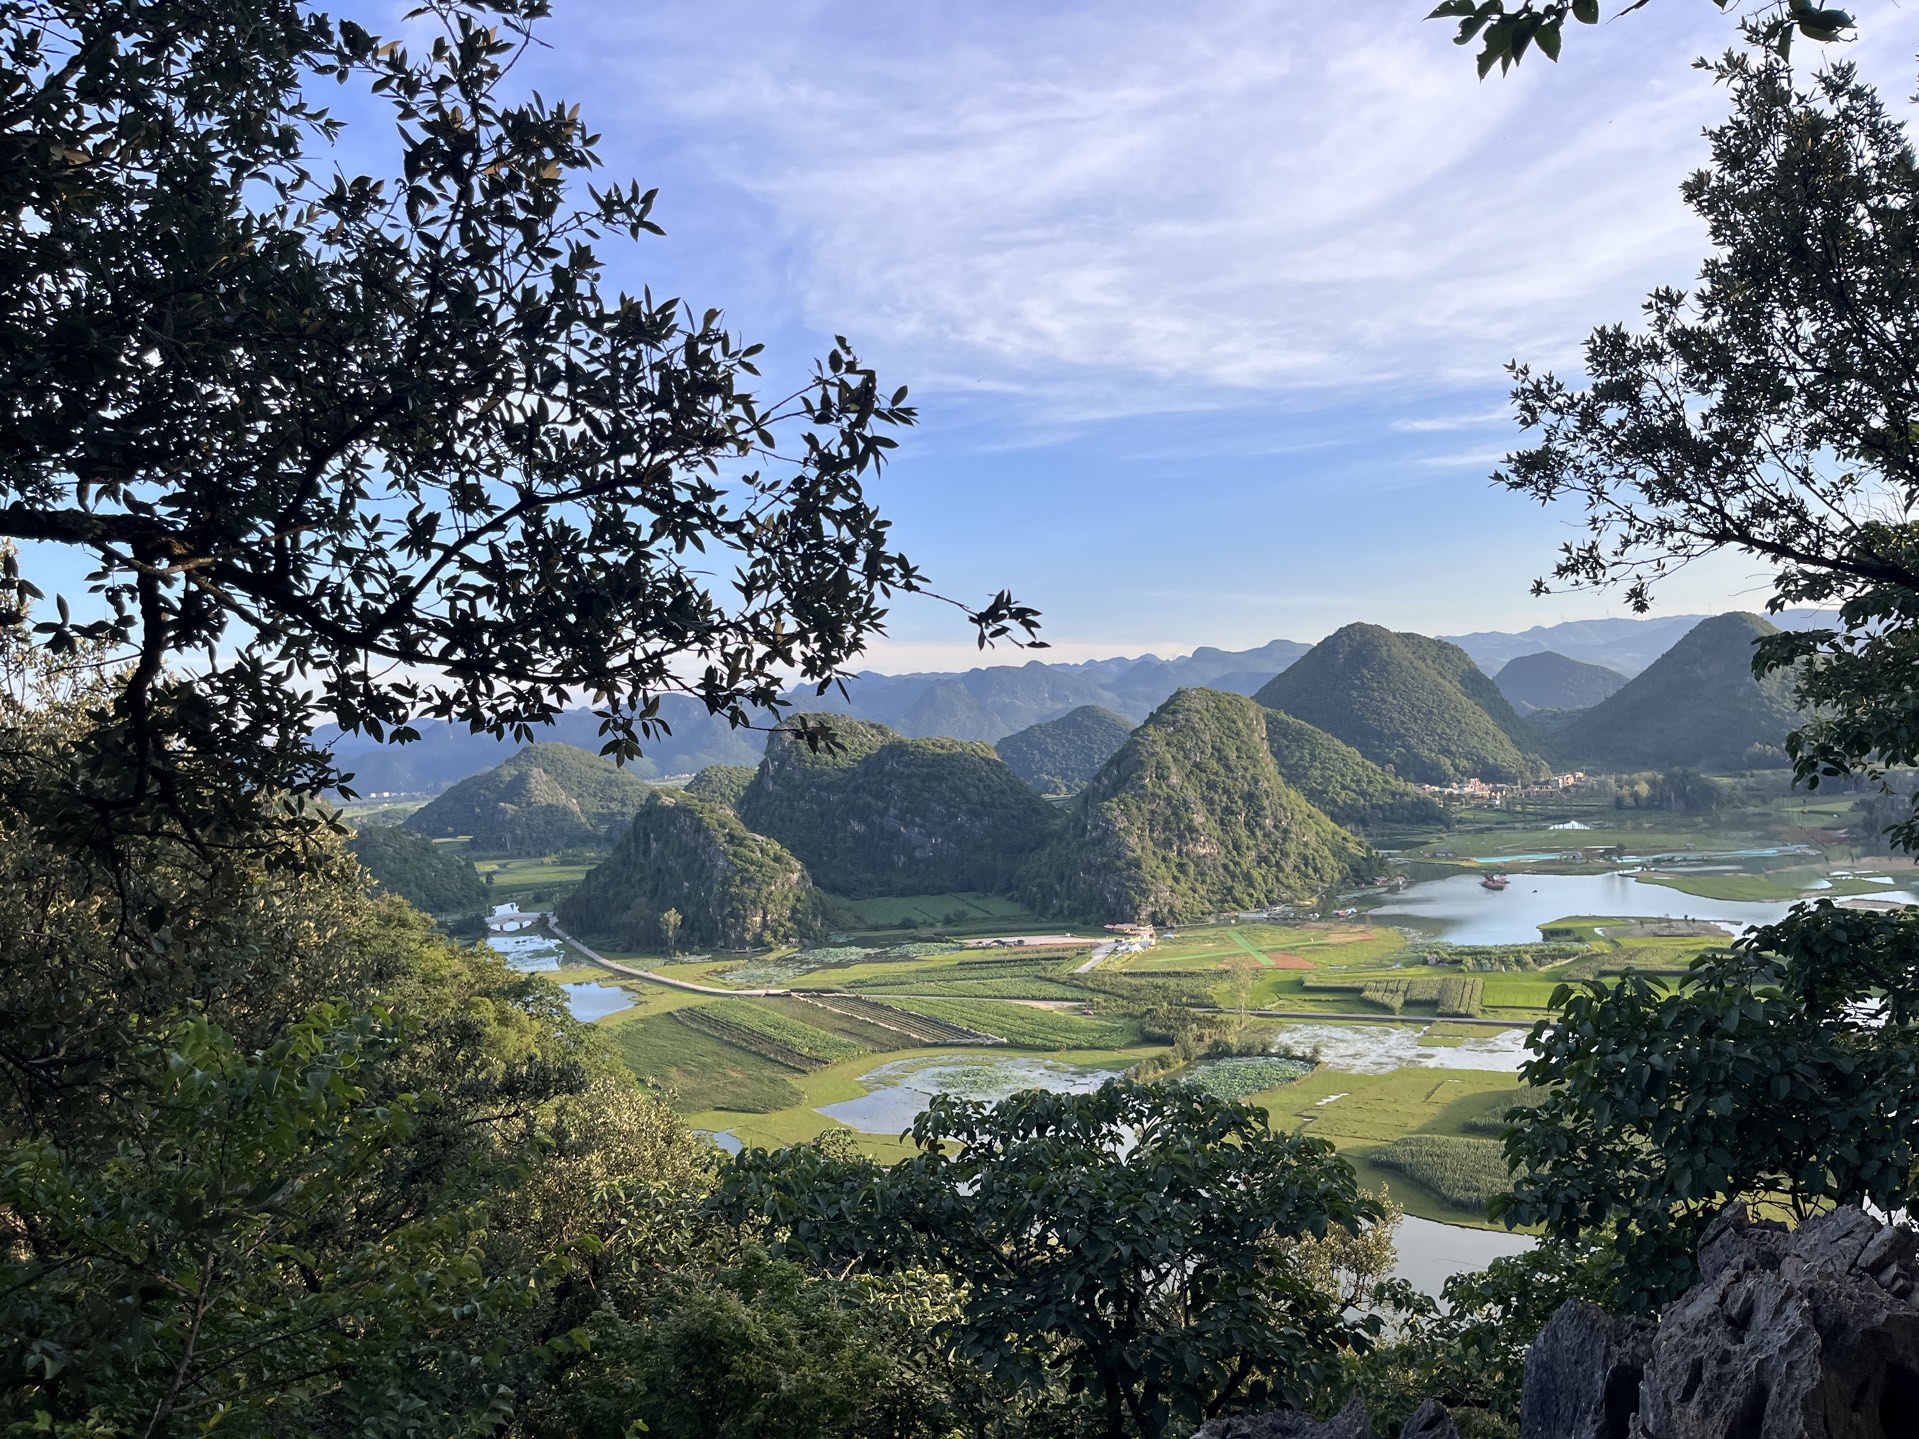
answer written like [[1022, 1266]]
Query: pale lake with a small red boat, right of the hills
[[1461, 912]]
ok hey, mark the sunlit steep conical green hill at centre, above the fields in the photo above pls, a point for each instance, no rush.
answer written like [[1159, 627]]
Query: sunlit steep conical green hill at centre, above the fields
[[1191, 818]]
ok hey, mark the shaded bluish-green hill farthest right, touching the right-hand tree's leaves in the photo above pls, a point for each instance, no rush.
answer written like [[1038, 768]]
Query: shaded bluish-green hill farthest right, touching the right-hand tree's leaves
[[1695, 707]]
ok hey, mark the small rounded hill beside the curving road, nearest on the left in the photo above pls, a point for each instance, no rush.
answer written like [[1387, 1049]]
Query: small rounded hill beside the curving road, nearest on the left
[[734, 889]]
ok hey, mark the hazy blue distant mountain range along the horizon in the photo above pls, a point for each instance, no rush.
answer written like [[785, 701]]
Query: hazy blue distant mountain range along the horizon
[[983, 705]]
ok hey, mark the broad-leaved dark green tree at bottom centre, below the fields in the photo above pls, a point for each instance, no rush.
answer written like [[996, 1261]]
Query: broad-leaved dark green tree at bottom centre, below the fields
[[1139, 1240]]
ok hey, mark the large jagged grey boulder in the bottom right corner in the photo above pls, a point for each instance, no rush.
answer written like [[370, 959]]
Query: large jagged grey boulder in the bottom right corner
[[1789, 1336]]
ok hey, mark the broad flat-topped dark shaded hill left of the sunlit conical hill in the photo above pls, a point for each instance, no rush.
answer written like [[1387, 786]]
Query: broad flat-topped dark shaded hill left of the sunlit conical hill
[[897, 816]]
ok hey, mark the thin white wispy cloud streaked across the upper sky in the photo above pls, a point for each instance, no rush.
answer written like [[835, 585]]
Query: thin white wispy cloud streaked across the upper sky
[[1122, 210]]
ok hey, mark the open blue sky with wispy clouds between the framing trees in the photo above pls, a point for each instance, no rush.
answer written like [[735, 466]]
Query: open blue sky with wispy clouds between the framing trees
[[1204, 308]]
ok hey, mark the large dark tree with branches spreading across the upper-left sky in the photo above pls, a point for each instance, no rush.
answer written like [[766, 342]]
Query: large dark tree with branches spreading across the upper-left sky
[[387, 446]]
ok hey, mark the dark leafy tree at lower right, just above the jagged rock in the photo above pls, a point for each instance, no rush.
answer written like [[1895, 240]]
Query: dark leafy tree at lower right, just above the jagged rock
[[1784, 1072]]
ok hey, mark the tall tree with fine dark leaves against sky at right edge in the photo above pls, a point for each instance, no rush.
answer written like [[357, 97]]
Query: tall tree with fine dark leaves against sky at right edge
[[1770, 412]]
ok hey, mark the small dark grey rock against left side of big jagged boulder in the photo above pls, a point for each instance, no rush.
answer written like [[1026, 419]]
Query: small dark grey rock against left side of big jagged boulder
[[1582, 1375]]
